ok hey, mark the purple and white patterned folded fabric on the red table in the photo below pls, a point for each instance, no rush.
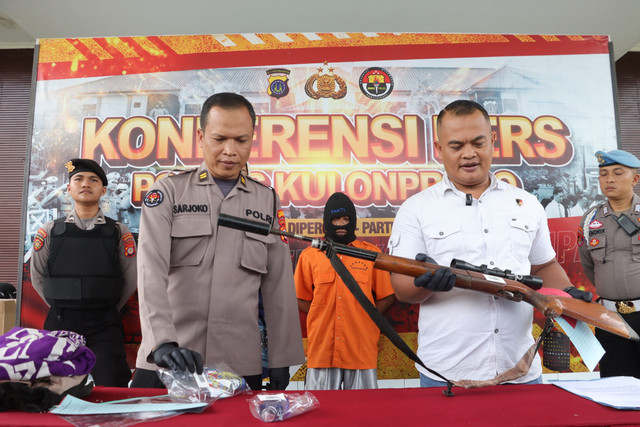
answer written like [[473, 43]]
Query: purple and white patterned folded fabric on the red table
[[29, 354]]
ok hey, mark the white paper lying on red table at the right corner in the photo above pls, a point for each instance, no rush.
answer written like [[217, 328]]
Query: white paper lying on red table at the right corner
[[617, 392]]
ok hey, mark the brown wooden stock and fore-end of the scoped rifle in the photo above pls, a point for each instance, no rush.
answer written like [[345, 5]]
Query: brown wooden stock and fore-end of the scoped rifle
[[548, 305]]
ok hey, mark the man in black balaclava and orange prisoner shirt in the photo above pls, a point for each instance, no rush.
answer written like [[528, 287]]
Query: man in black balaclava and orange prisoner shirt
[[342, 348]]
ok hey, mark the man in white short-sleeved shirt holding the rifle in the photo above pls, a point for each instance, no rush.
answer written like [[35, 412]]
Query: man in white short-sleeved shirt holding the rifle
[[473, 216]]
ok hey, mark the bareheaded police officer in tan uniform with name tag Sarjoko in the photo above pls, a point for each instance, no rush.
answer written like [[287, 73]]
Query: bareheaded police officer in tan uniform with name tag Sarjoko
[[199, 283]]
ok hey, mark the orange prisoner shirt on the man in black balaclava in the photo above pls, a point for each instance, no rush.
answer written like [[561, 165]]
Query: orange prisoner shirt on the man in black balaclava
[[340, 333]]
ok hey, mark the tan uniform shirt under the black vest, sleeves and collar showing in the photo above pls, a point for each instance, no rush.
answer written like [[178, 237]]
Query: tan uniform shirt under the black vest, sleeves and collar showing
[[126, 255]]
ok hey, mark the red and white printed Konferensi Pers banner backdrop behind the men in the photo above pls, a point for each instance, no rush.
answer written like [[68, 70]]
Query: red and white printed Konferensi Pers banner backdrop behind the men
[[351, 112]]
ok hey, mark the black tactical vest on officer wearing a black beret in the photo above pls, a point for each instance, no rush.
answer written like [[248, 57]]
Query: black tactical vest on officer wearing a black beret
[[83, 268]]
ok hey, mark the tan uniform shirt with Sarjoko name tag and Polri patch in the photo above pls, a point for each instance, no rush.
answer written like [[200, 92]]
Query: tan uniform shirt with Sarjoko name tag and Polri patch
[[199, 283]]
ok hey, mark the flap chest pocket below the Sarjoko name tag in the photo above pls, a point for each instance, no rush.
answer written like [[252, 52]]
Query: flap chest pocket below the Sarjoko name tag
[[190, 235]]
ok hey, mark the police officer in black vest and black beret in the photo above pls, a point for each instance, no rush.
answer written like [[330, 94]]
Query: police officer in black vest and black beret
[[84, 267]]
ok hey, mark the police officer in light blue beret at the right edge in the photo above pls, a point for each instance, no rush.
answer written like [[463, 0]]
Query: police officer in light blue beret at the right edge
[[609, 246]]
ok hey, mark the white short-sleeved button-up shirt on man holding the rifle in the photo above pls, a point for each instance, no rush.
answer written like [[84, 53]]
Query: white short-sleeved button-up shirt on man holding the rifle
[[466, 334]]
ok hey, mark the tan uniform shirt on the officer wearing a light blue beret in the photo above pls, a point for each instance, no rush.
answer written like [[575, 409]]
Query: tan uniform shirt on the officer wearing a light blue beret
[[610, 257]]
